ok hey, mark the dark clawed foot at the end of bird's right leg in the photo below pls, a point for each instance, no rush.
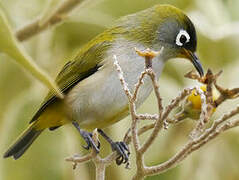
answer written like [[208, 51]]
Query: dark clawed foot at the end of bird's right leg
[[123, 152]]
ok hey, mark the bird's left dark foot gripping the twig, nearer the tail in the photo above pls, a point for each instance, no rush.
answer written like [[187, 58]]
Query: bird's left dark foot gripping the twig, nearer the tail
[[89, 141]]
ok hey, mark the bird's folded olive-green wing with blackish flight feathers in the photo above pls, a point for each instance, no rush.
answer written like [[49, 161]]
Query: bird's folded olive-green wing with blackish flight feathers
[[86, 63]]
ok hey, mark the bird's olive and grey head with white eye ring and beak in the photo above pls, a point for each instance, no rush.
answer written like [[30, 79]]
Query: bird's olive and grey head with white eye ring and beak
[[168, 27]]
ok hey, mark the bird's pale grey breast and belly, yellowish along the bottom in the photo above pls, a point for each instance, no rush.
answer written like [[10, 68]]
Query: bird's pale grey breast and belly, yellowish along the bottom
[[99, 100]]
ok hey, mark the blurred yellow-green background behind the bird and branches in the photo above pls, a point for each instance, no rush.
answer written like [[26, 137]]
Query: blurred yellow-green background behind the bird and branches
[[217, 23]]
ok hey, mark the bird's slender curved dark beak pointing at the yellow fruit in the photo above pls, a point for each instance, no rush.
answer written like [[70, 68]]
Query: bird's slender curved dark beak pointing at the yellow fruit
[[195, 61]]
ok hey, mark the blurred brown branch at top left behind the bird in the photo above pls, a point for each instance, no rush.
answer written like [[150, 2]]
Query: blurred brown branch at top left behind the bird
[[57, 16]]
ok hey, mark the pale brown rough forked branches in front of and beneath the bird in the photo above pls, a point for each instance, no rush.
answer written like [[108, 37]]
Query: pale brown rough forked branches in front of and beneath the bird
[[200, 135]]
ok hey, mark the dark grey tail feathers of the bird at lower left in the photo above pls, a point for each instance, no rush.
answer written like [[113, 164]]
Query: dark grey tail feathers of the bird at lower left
[[22, 143]]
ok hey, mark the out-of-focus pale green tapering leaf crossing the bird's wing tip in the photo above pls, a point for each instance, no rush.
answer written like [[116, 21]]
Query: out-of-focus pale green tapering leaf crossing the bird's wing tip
[[12, 48]]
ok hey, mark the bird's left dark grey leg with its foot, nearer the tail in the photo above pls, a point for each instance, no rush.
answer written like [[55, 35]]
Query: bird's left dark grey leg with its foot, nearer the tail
[[87, 137]]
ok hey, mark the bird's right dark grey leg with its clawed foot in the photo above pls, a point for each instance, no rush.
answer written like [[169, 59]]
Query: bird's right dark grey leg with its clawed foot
[[120, 147]]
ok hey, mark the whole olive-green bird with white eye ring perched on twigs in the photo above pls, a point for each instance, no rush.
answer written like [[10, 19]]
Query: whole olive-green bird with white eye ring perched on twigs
[[94, 97]]
